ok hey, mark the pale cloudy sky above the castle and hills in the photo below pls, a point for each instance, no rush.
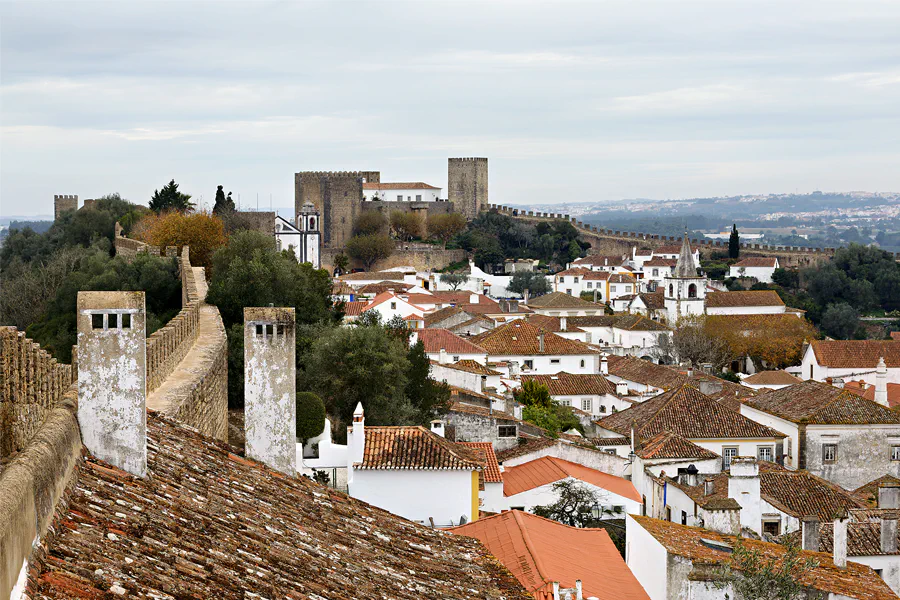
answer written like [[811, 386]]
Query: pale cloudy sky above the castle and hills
[[570, 102]]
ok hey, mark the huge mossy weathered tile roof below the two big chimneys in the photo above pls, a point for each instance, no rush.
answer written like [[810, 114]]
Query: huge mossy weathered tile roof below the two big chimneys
[[206, 523]]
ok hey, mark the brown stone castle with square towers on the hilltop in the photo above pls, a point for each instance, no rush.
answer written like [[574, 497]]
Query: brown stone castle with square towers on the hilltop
[[339, 196]]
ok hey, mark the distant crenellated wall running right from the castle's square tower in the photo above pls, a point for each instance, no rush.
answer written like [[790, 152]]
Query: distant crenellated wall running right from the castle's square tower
[[612, 241]]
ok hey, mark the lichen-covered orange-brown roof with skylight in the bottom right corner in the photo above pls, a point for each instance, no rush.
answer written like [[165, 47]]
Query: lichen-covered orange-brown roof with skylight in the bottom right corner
[[854, 581]]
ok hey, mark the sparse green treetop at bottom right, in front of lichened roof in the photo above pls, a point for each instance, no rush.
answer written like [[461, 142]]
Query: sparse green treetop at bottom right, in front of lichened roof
[[752, 574]]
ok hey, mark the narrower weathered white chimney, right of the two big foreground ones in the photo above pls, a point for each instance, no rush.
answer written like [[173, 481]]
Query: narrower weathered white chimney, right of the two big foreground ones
[[270, 387]]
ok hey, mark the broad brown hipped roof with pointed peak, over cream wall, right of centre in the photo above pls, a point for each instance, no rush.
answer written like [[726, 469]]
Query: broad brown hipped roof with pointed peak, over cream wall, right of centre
[[687, 412]]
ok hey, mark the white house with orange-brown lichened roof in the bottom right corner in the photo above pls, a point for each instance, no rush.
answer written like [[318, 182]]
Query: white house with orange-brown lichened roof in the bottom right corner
[[673, 562]]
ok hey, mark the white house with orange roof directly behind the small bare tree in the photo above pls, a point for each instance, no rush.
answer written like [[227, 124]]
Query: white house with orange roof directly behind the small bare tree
[[531, 484]]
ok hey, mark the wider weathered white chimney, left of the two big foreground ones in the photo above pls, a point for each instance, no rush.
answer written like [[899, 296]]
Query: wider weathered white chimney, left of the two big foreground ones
[[112, 378]]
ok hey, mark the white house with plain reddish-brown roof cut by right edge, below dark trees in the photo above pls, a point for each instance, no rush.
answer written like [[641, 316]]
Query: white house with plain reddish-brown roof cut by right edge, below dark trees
[[851, 359]]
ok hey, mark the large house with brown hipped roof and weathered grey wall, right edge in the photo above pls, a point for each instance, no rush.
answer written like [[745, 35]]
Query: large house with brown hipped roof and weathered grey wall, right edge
[[831, 432]]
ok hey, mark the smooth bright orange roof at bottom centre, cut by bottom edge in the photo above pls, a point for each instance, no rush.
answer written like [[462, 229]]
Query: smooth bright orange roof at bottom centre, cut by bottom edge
[[539, 552]]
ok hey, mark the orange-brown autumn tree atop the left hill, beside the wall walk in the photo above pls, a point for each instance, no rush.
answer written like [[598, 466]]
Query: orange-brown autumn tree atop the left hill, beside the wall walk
[[203, 232]]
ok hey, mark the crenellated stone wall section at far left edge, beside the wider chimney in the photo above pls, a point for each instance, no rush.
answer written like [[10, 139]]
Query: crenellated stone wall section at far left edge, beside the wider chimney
[[31, 382]]
